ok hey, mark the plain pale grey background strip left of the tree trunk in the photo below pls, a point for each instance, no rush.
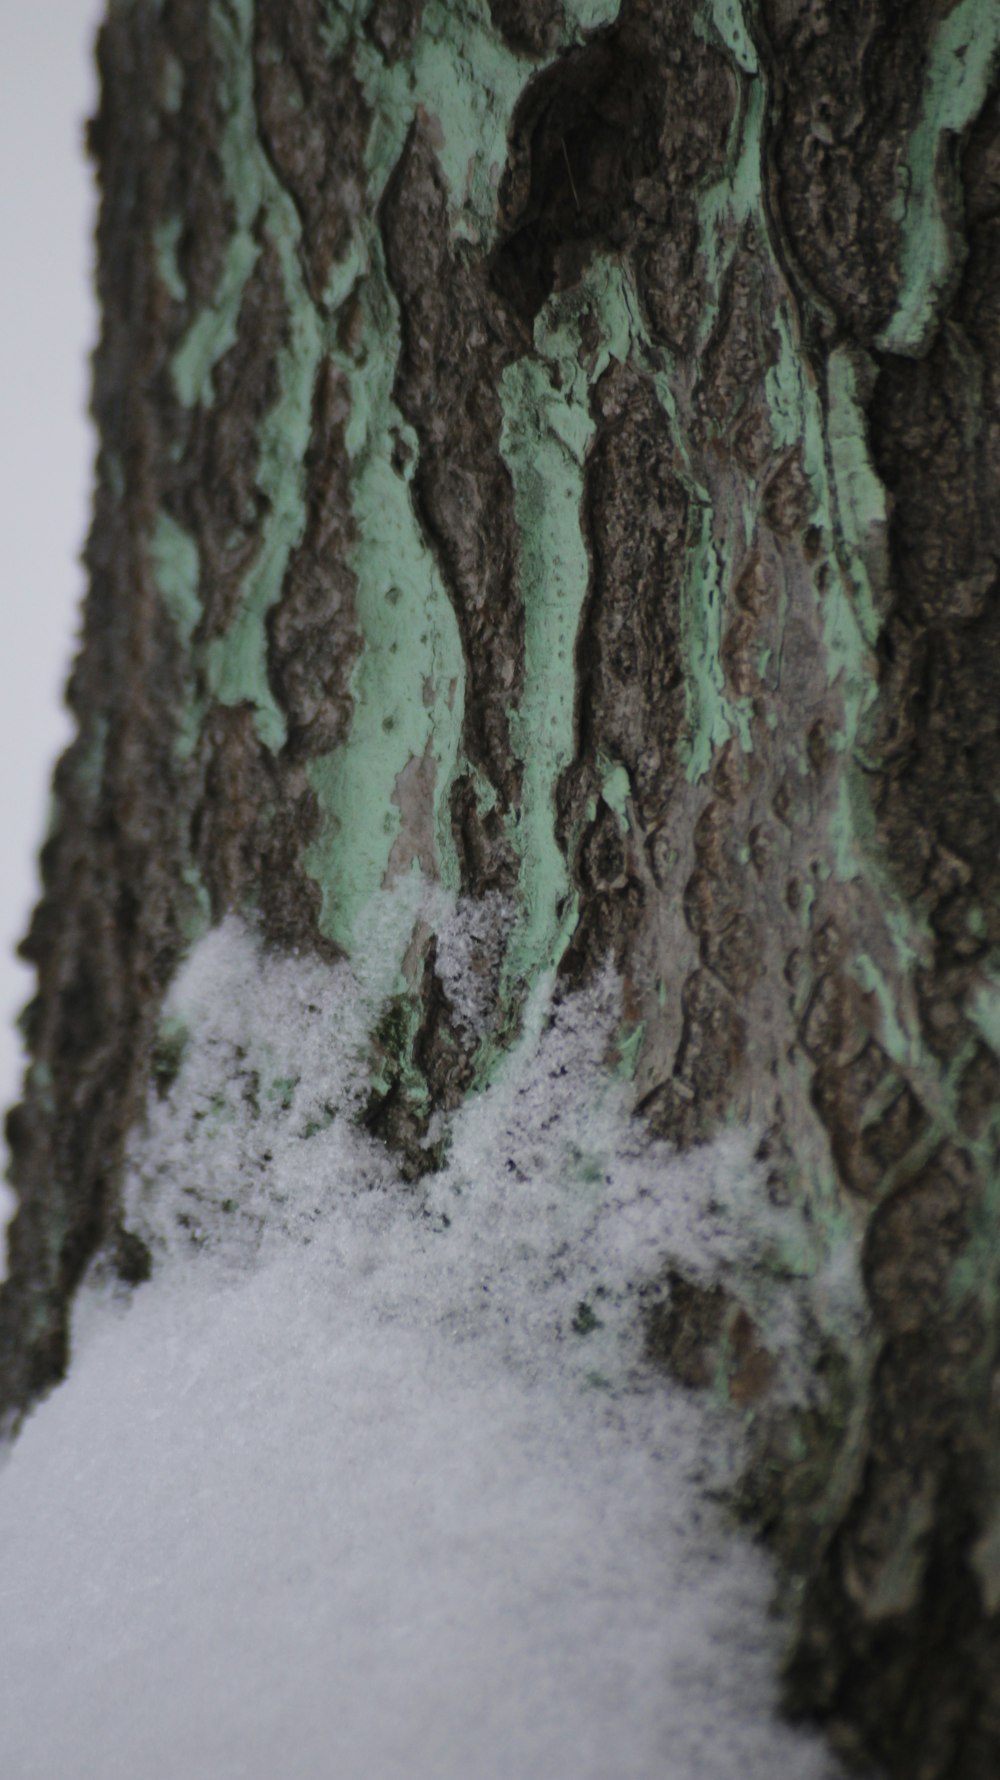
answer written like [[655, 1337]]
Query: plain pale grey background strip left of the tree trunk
[[47, 327]]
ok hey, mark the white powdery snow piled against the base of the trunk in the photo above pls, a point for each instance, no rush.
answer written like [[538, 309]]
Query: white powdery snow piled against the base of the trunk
[[344, 1491]]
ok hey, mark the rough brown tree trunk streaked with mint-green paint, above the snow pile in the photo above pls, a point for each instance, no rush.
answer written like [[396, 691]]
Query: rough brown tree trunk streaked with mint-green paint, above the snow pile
[[552, 449]]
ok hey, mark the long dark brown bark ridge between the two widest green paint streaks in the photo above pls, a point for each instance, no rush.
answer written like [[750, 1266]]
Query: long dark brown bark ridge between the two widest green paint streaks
[[456, 343]]
